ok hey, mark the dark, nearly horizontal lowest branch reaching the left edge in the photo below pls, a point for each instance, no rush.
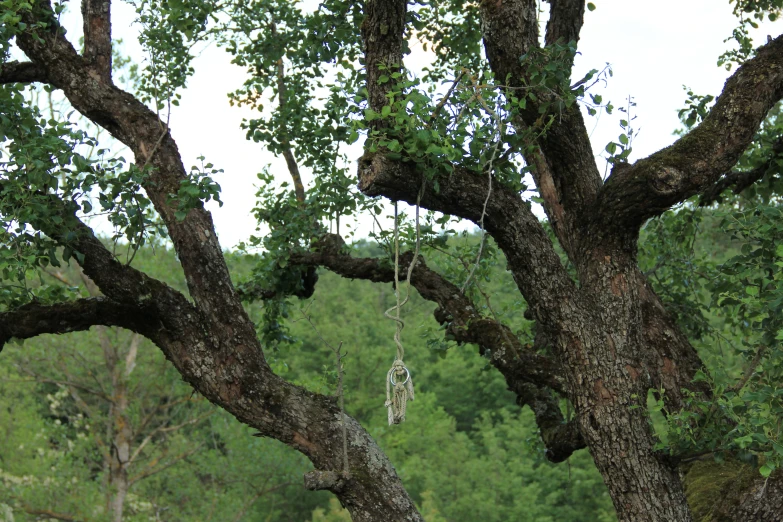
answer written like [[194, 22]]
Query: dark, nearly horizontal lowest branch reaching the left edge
[[36, 319]]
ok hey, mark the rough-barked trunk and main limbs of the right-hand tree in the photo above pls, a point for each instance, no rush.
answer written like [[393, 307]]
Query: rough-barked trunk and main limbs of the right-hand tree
[[610, 333]]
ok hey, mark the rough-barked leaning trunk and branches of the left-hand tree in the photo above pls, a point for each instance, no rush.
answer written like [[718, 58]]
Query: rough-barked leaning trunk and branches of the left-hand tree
[[211, 341]]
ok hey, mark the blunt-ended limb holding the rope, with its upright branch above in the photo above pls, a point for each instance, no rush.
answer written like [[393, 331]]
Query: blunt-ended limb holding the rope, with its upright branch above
[[532, 259]]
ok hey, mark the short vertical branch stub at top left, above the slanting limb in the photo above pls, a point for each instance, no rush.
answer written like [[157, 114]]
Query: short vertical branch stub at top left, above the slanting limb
[[97, 54]]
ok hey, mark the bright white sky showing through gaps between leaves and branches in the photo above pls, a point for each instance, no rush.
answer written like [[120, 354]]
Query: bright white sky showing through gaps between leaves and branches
[[654, 48]]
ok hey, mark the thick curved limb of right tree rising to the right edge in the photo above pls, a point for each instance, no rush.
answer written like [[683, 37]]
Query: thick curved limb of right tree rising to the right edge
[[695, 162]]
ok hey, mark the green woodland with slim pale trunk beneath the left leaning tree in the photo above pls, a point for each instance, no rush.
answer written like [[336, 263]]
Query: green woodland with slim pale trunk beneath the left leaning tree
[[109, 432]]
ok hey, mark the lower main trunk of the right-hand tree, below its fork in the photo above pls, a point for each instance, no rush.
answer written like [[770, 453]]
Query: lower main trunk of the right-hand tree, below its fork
[[609, 384]]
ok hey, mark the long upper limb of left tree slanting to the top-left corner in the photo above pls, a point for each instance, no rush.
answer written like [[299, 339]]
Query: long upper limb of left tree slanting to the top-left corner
[[135, 125]]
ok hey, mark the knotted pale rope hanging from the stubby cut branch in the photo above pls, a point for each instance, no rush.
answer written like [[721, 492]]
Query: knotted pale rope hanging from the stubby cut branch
[[399, 385]]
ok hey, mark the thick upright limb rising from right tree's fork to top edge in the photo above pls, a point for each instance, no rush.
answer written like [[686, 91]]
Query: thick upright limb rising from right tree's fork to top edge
[[564, 168]]
